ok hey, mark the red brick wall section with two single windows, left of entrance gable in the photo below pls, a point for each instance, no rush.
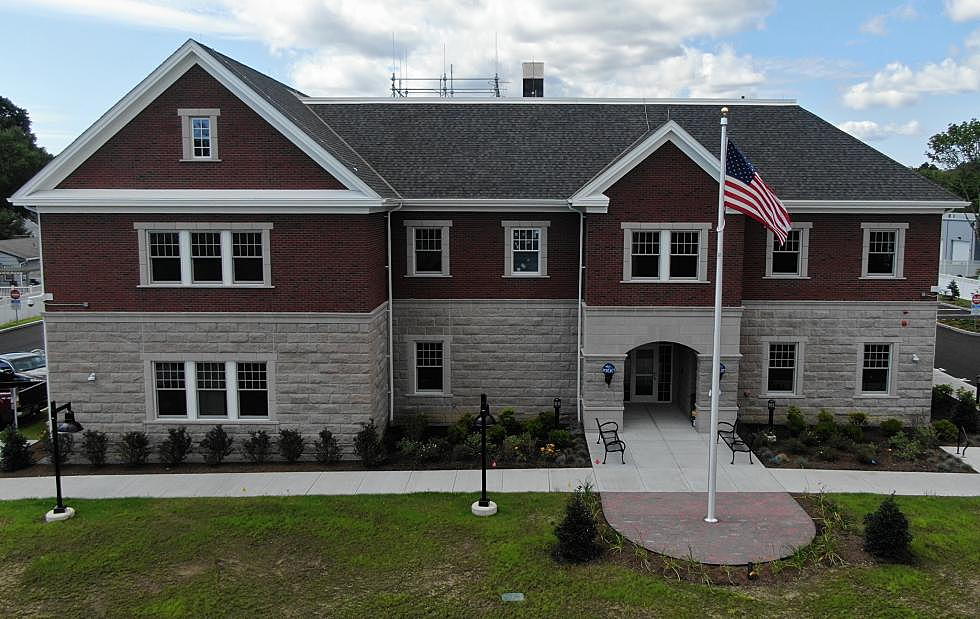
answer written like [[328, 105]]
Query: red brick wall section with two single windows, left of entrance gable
[[477, 244]]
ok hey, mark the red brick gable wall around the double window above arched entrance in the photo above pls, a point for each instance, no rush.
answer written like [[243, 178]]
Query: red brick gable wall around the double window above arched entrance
[[666, 187]]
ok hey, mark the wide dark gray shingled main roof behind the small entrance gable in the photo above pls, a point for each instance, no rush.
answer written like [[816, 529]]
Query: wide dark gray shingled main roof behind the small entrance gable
[[541, 150]]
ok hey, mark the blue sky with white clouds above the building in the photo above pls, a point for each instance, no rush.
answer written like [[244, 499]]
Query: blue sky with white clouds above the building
[[891, 73]]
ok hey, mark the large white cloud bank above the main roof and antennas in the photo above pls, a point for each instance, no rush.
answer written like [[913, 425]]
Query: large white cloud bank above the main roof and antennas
[[344, 47]]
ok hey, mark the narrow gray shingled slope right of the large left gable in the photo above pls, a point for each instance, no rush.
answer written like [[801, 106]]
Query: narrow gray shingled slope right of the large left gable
[[286, 100]]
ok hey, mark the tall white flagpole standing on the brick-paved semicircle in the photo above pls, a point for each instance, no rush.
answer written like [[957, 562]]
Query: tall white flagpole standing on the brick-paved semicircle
[[716, 336]]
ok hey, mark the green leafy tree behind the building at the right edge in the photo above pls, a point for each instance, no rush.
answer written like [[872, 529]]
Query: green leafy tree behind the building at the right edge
[[955, 157]]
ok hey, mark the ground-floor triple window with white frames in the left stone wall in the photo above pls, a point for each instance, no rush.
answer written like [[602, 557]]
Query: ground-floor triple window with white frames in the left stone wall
[[210, 389]]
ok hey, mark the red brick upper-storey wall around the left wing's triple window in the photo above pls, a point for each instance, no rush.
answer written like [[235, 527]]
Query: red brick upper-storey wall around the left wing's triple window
[[319, 264]]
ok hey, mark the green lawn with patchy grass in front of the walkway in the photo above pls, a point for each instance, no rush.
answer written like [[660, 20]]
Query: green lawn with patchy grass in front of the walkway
[[422, 554]]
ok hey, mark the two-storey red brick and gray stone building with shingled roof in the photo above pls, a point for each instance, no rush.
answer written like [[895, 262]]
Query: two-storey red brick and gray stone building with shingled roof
[[224, 249]]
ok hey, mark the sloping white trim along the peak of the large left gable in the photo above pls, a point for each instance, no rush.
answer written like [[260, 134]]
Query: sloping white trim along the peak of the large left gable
[[136, 100]]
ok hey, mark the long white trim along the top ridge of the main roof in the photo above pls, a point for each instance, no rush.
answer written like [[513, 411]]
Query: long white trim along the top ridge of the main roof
[[538, 101]]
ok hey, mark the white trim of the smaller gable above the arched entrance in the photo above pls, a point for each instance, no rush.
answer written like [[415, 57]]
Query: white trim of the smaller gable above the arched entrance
[[591, 195]]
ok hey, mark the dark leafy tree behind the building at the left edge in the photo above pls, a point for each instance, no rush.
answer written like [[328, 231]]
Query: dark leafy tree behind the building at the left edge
[[20, 159]]
